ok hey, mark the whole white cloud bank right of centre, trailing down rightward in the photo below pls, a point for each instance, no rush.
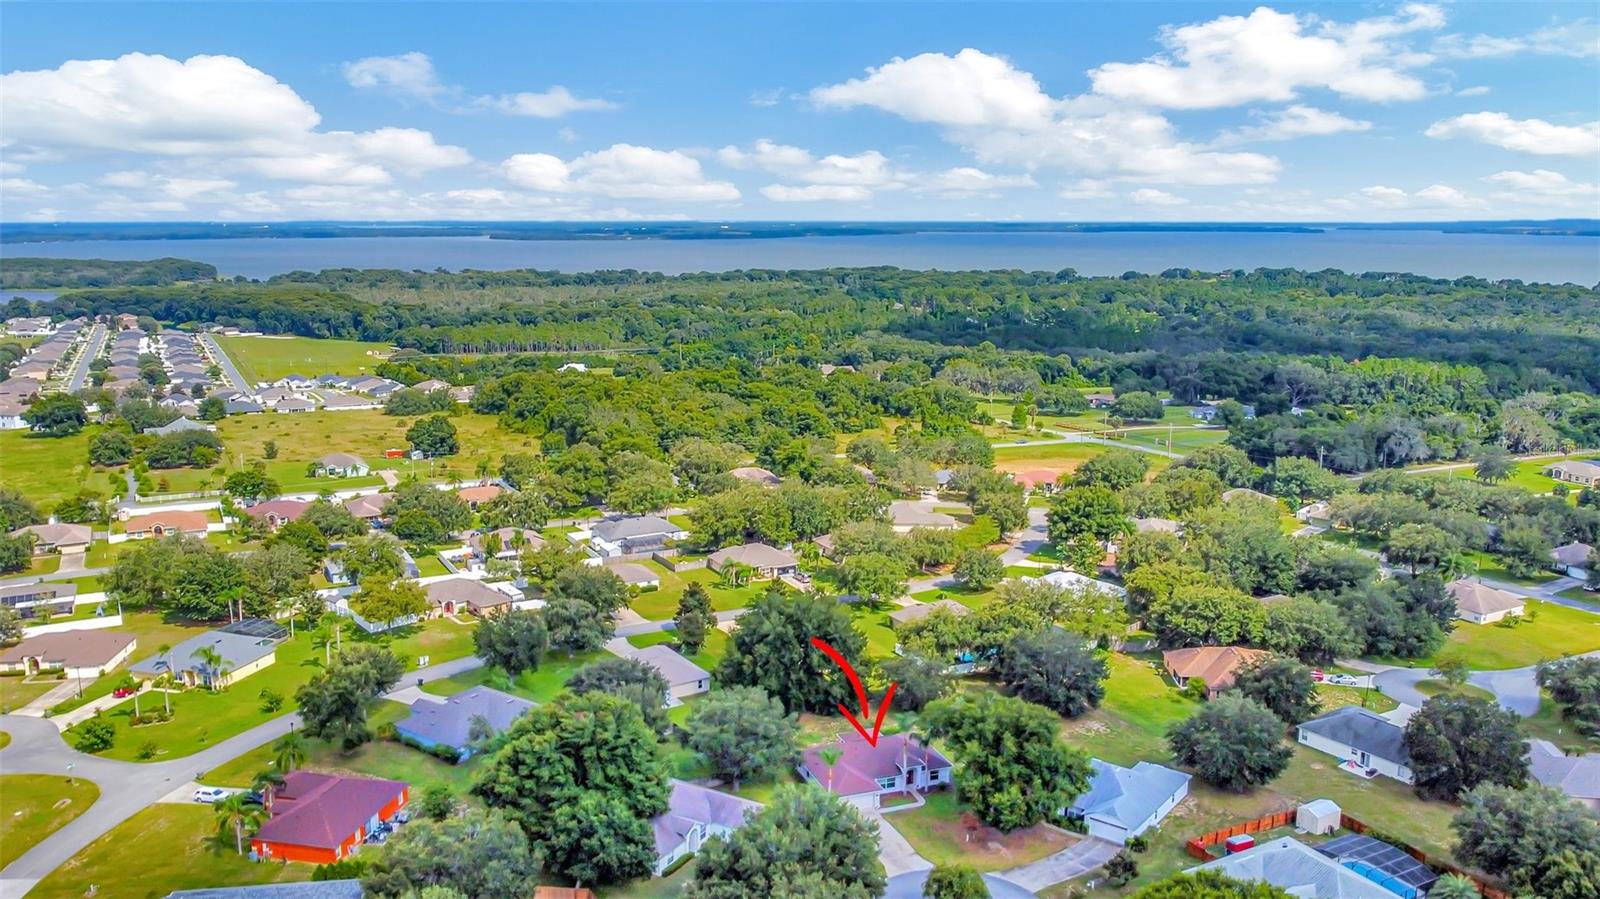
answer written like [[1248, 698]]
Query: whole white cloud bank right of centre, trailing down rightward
[[1004, 118]]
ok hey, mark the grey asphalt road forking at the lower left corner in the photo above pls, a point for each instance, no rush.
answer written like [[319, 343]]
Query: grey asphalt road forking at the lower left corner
[[127, 788]]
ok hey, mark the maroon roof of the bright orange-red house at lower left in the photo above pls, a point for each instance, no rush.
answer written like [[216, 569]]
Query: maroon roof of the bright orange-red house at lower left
[[326, 810]]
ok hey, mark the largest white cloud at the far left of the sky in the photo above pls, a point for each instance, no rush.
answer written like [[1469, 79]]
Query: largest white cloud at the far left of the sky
[[206, 108]]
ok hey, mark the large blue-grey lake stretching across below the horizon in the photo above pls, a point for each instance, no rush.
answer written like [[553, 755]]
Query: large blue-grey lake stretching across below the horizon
[[1110, 254]]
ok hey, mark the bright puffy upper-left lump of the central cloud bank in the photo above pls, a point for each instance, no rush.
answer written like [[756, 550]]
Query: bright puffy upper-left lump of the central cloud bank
[[969, 90]]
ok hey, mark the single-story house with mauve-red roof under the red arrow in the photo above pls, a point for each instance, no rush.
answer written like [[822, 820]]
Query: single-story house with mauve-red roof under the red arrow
[[866, 772]]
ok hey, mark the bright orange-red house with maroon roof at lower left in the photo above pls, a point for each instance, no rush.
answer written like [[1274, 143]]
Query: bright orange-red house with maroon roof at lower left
[[324, 818]]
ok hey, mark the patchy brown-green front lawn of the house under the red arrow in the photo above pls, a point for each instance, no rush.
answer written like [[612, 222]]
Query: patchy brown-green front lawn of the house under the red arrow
[[937, 833]]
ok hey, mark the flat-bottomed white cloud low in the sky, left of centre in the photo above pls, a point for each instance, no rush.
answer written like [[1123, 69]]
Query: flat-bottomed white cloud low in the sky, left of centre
[[620, 172]]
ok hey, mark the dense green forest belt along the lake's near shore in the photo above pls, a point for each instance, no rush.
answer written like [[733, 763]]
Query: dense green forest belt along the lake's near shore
[[1358, 370]]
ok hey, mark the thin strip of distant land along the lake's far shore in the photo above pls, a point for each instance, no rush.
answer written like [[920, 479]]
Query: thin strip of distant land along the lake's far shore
[[58, 233]]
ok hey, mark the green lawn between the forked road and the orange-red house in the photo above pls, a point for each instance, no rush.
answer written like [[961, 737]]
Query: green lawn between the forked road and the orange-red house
[[161, 850]]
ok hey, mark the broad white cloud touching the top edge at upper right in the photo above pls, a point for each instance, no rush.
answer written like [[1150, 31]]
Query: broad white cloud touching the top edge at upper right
[[1271, 57]]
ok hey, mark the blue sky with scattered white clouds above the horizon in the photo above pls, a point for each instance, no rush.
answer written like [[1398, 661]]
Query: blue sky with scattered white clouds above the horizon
[[790, 113]]
